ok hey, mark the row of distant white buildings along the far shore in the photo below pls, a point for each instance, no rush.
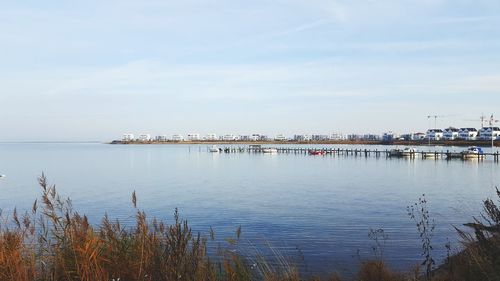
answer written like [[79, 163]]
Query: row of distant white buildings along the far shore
[[448, 134]]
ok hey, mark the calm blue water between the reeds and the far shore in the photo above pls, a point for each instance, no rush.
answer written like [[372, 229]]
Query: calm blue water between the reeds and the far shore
[[319, 209]]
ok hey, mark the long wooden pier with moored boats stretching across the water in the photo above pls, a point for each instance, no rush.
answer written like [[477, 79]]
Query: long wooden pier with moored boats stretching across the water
[[354, 152]]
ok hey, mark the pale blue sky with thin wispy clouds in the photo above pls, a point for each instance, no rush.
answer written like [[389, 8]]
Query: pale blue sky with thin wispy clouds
[[93, 70]]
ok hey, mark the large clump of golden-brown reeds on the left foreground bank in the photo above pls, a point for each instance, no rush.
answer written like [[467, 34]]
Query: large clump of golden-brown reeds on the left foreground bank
[[54, 242]]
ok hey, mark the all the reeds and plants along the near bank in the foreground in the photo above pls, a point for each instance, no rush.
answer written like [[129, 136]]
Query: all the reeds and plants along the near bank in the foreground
[[54, 242]]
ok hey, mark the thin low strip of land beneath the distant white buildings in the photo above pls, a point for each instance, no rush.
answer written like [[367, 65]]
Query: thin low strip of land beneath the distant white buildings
[[482, 143]]
